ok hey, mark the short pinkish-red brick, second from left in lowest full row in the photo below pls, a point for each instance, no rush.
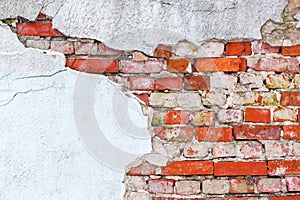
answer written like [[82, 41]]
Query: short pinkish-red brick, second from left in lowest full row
[[161, 186]]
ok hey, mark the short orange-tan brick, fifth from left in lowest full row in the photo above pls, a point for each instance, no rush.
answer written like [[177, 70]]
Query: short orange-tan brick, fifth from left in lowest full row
[[239, 186]]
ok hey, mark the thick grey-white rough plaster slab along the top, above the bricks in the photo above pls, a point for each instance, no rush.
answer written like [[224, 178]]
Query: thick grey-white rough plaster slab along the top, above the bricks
[[142, 24]]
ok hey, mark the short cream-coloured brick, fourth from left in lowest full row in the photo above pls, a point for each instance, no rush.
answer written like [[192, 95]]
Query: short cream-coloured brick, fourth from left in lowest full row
[[214, 186]]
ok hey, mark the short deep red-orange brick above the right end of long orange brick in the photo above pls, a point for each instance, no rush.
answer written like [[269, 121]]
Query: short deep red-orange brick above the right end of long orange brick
[[238, 48]]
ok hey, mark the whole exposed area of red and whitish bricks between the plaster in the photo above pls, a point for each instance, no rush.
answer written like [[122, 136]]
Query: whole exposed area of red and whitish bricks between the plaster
[[225, 113]]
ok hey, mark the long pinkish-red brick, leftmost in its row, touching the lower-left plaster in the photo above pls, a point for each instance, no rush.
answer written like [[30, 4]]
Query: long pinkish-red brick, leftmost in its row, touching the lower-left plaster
[[93, 65]]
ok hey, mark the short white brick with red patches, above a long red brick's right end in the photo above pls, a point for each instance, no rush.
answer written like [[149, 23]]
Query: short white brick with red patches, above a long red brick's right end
[[195, 150]]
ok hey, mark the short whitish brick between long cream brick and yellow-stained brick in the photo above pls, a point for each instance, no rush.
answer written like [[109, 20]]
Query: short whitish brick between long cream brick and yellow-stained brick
[[214, 98]]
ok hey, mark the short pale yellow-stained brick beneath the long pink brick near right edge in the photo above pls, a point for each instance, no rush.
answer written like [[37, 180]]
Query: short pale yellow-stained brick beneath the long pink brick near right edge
[[278, 81]]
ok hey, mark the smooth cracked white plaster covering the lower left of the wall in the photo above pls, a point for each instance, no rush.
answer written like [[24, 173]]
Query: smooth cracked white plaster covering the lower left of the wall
[[42, 152]]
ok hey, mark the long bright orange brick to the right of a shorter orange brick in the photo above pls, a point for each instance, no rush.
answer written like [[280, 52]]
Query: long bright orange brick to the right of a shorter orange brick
[[220, 64]]
